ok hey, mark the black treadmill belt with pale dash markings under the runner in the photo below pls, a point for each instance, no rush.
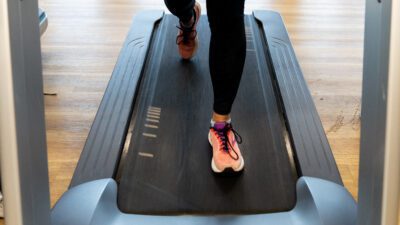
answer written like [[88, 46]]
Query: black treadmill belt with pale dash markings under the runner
[[167, 168]]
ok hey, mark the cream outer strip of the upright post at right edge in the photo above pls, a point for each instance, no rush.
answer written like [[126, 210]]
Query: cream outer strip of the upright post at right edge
[[391, 180]]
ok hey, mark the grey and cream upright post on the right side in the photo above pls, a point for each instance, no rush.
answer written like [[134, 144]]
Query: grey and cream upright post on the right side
[[380, 127]]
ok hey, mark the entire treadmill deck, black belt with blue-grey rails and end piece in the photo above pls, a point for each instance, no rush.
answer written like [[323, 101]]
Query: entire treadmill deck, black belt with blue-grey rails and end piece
[[147, 158]]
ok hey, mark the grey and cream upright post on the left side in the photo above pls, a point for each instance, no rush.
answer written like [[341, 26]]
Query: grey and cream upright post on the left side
[[24, 173]]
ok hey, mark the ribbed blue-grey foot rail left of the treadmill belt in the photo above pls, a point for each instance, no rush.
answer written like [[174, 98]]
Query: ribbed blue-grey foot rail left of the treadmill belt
[[100, 156]]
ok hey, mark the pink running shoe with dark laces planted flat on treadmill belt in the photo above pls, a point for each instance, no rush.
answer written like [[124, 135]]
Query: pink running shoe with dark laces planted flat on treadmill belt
[[227, 157]]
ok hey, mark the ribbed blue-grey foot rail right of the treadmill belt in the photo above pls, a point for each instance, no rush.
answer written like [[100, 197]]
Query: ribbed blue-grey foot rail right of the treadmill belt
[[312, 152]]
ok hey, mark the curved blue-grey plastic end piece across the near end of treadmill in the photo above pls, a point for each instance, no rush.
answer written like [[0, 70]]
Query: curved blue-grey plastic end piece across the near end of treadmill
[[320, 202]]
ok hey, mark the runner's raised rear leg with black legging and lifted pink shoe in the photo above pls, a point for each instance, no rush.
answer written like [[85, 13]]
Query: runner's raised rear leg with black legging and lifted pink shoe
[[188, 12]]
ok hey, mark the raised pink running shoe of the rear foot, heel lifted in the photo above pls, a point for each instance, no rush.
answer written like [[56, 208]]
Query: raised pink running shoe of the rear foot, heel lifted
[[187, 40]]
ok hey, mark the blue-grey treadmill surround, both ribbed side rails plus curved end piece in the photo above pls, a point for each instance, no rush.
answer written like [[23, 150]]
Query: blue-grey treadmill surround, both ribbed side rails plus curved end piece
[[93, 177]]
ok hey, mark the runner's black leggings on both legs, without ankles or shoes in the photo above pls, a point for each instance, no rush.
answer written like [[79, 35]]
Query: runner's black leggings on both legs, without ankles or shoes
[[227, 46]]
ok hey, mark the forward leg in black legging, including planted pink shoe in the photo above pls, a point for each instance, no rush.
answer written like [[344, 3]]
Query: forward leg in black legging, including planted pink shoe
[[226, 59]]
